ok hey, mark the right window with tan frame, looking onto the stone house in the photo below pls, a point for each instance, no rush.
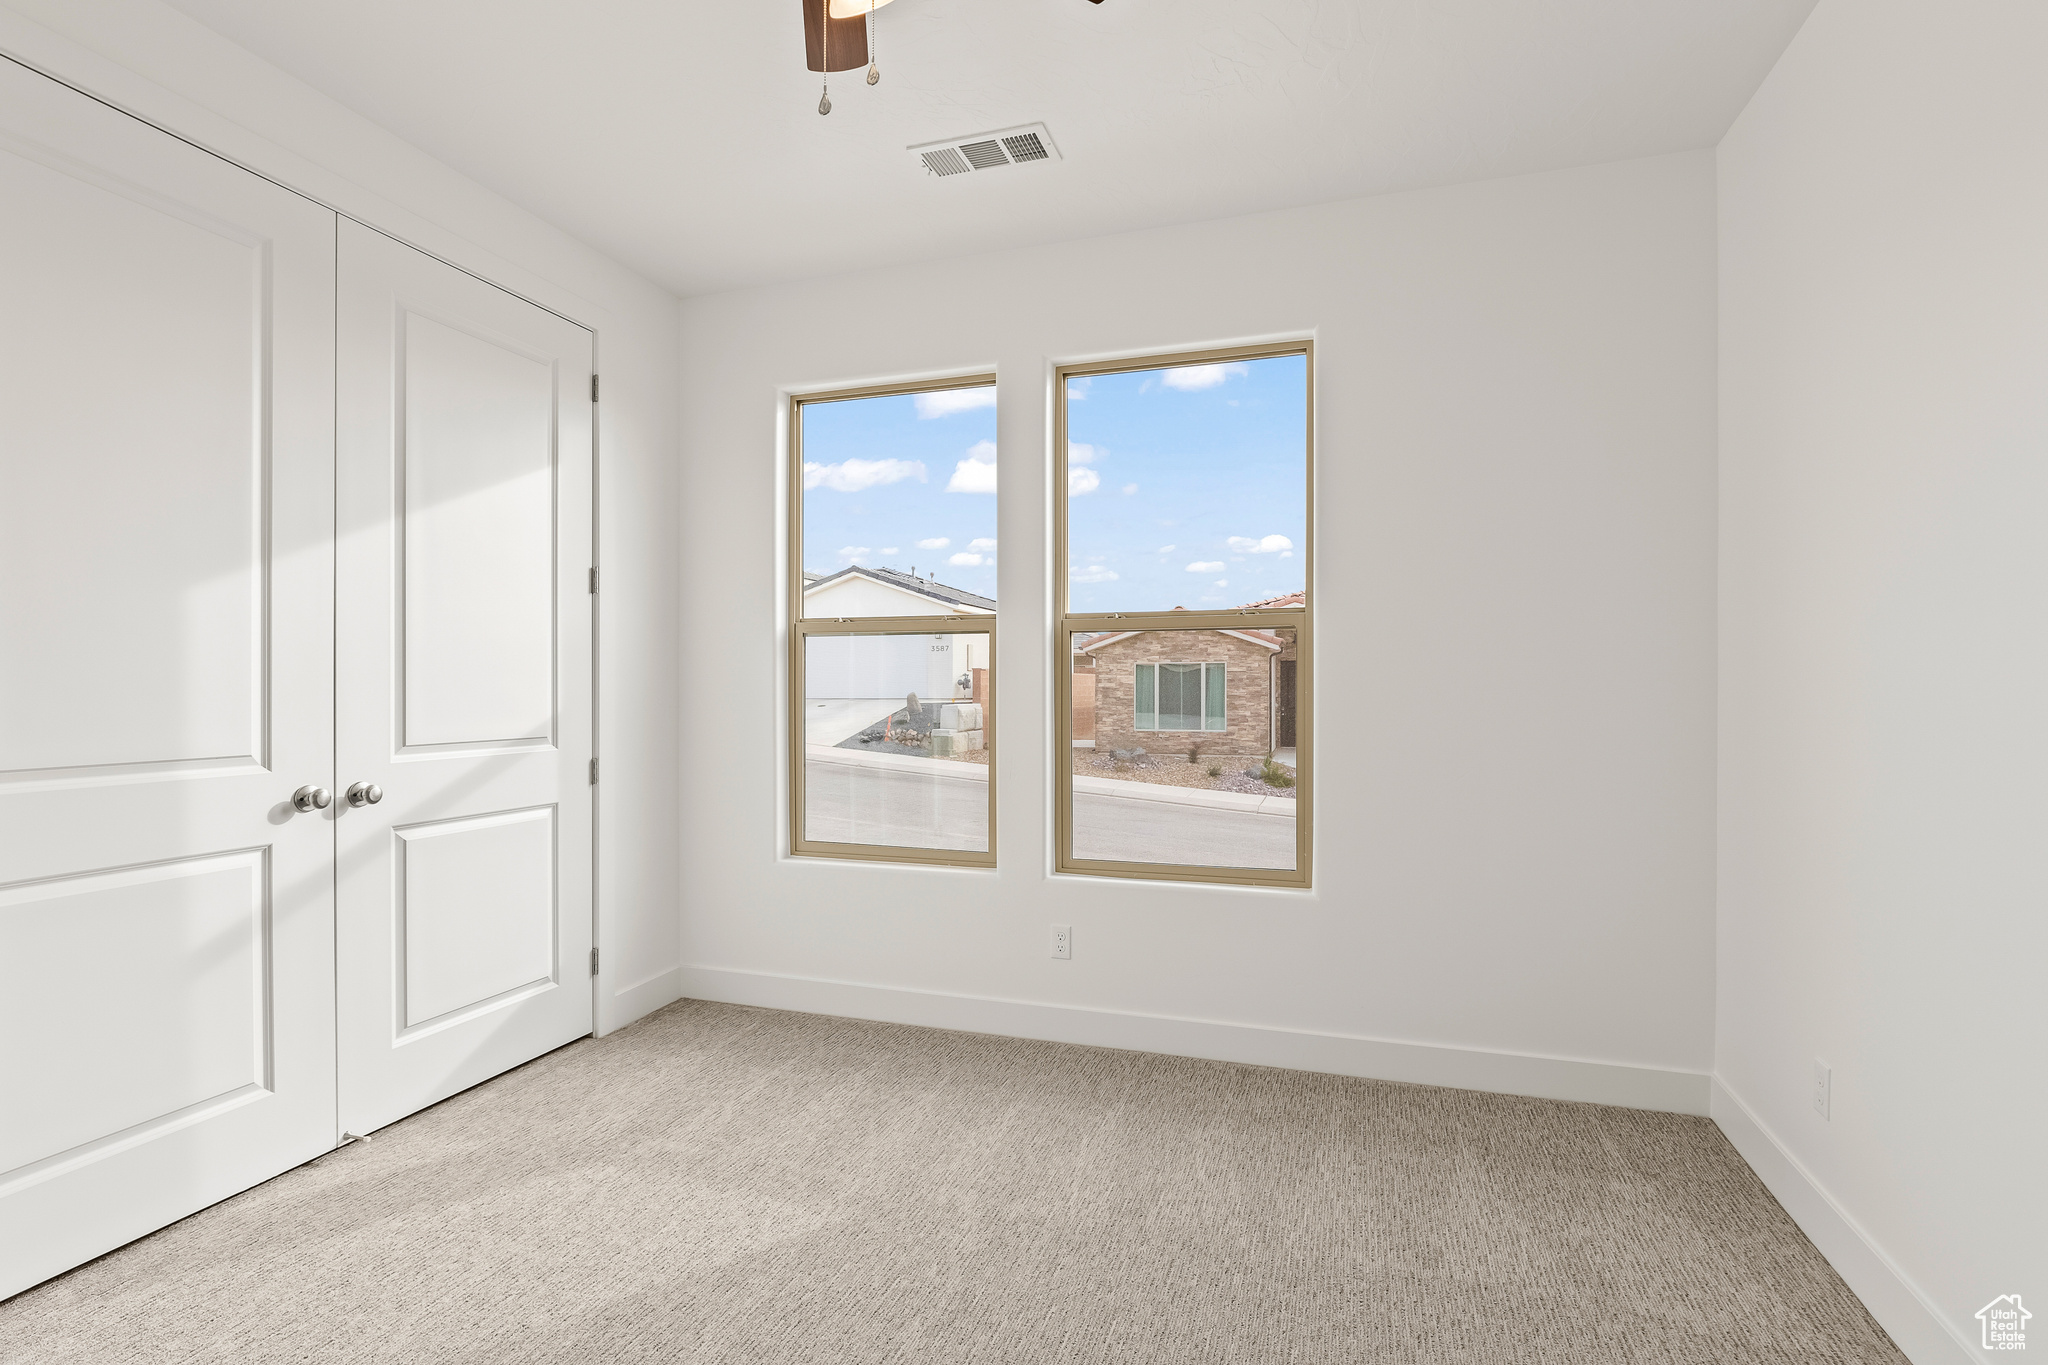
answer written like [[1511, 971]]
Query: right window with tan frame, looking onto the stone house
[[1185, 535]]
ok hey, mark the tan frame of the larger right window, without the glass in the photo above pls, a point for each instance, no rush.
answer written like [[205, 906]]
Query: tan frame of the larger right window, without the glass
[[1068, 625]]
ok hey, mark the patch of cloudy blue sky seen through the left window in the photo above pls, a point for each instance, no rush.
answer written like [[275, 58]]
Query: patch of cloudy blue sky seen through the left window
[[904, 482]]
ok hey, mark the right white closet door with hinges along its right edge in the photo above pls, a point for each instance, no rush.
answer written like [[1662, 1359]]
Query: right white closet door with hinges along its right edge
[[464, 680]]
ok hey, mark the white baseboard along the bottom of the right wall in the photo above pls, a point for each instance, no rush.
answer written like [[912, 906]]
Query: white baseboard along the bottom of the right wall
[[1887, 1292]]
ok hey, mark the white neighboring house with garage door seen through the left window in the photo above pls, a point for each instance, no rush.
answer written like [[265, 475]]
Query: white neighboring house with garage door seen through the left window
[[939, 666]]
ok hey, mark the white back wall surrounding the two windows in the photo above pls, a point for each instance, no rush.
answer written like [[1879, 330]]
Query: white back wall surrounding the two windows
[[1517, 629]]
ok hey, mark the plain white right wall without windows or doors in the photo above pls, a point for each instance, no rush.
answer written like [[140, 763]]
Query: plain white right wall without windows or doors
[[1885, 650]]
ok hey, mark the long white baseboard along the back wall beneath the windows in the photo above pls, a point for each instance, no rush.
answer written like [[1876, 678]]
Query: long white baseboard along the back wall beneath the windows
[[1471, 1069]]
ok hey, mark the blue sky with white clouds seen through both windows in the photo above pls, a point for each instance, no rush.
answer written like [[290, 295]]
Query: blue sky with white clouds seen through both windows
[[1187, 486]]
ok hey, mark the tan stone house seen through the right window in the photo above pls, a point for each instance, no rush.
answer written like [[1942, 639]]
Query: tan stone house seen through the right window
[[1164, 691]]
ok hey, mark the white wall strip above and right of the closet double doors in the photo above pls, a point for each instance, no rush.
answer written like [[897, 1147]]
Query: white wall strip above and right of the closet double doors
[[159, 64]]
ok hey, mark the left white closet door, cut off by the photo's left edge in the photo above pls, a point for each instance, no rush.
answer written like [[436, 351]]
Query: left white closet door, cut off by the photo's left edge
[[167, 918]]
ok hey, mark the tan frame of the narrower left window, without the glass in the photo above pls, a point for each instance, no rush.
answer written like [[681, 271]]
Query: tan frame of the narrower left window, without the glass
[[802, 631]]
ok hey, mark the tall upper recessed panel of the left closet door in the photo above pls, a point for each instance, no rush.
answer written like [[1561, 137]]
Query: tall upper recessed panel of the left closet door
[[171, 464]]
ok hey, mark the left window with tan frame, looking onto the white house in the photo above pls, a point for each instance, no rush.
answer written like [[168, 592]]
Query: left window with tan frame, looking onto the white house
[[894, 623]]
